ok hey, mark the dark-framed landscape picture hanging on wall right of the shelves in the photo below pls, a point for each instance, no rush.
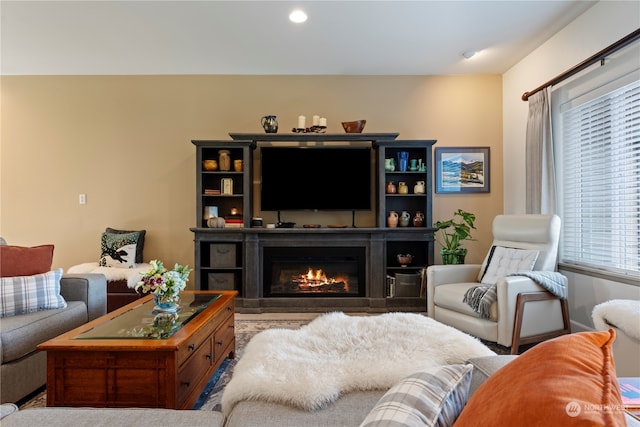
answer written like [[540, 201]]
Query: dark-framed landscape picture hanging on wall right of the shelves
[[462, 170]]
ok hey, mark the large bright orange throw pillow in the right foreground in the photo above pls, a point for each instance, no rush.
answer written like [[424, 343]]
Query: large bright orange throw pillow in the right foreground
[[567, 381]]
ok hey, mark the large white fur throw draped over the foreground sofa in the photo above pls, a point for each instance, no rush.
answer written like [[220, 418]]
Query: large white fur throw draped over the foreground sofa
[[334, 354]]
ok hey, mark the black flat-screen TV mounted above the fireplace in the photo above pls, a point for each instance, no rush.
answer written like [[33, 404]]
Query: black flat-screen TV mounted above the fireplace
[[315, 178]]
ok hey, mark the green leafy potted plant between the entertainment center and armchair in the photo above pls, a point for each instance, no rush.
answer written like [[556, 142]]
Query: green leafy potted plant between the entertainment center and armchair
[[452, 233]]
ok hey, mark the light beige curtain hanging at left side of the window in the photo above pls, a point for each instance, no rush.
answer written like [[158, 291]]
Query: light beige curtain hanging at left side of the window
[[540, 170]]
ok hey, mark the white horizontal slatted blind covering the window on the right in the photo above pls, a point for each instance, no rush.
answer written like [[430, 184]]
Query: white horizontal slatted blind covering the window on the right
[[600, 176]]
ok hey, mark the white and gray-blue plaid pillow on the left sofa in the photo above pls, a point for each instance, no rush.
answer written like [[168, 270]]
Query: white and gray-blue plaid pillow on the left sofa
[[26, 294]]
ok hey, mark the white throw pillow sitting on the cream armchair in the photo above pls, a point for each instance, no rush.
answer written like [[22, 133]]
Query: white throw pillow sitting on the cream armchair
[[504, 261]]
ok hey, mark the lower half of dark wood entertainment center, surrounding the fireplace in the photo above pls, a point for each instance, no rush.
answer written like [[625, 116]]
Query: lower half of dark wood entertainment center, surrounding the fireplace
[[378, 245]]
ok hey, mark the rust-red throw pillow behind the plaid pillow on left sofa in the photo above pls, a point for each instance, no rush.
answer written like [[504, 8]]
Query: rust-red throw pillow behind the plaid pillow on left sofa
[[25, 261]]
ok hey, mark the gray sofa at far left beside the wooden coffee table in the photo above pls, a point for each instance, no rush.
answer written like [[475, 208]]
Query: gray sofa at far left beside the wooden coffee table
[[23, 368]]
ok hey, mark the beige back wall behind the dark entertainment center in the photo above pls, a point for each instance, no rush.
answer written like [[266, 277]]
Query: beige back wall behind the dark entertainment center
[[124, 141]]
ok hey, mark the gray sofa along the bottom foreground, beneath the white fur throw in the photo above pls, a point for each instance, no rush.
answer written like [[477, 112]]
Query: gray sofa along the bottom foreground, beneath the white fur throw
[[349, 410]]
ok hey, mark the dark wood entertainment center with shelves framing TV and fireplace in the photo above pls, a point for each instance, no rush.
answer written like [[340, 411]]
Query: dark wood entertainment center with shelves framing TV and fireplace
[[233, 258]]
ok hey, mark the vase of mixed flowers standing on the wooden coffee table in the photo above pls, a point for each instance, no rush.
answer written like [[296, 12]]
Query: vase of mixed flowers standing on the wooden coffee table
[[164, 284]]
